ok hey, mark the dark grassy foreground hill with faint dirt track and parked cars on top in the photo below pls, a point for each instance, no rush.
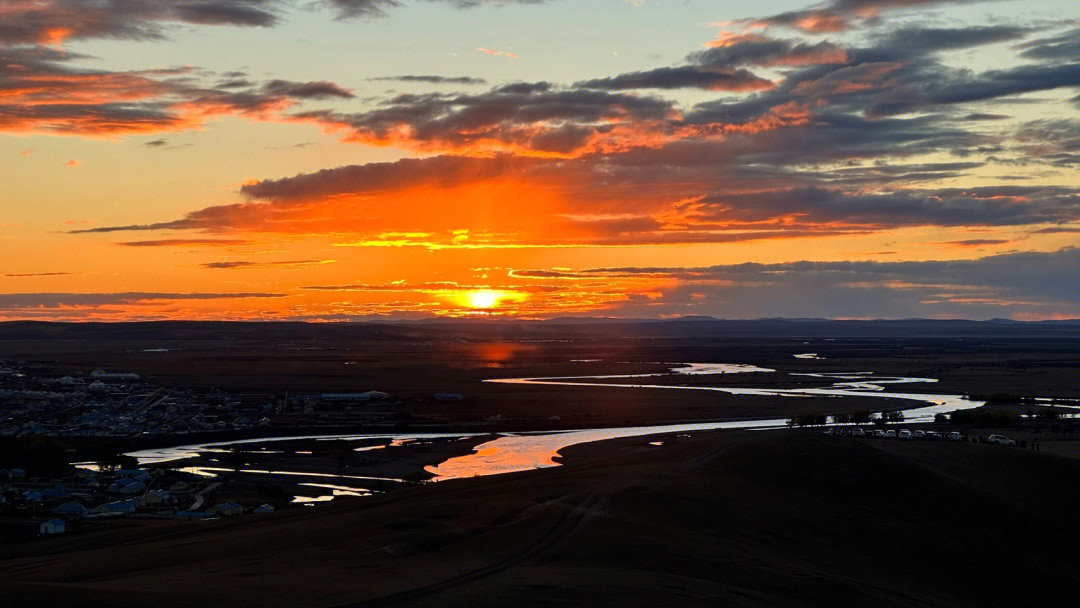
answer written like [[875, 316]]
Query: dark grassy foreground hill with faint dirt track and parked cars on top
[[767, 519]]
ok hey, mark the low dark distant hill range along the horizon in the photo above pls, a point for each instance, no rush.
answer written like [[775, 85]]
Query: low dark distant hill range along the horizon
[[559, 328]]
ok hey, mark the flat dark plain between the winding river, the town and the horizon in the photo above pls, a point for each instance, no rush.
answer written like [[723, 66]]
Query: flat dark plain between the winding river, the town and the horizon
[[415, 362]]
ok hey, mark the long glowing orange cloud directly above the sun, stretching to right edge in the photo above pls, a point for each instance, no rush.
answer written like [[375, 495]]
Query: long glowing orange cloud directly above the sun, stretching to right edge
[[564, 206]]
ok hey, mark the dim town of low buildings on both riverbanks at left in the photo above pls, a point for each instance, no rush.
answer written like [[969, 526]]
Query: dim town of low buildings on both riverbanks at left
[[80, 409]]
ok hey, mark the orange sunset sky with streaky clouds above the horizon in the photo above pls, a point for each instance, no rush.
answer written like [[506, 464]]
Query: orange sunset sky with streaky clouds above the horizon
[[350, 160]]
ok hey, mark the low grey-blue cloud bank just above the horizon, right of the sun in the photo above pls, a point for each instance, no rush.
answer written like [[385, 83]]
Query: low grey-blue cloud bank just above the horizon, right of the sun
[[1025, 286]]
